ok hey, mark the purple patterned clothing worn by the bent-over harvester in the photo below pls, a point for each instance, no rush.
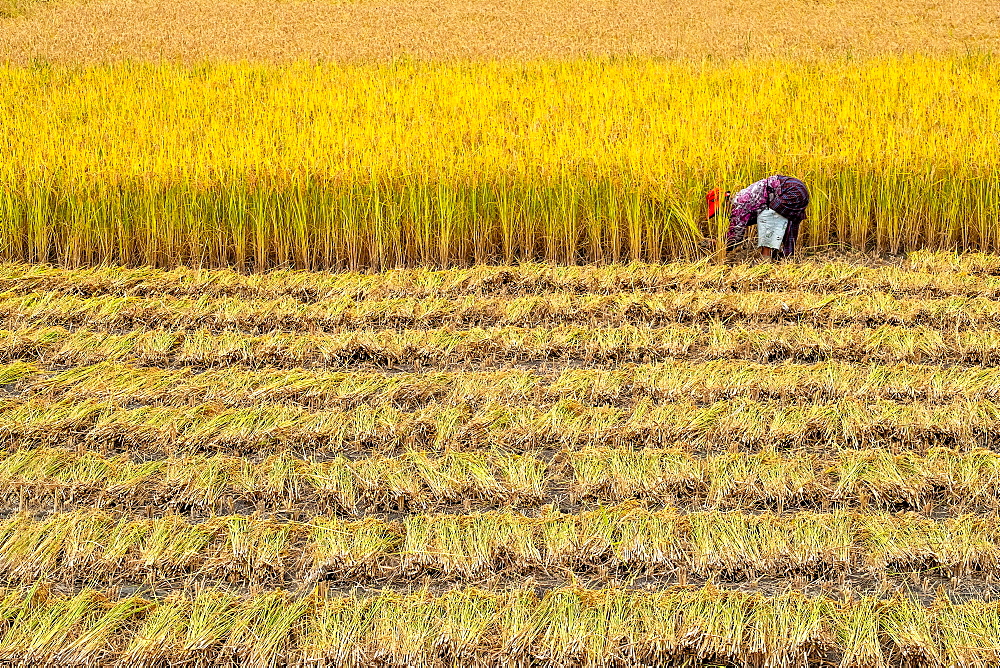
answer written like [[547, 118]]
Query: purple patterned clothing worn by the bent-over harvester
[[784, 194]]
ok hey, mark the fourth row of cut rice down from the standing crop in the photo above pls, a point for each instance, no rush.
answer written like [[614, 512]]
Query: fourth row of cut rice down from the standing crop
[[676, 380]]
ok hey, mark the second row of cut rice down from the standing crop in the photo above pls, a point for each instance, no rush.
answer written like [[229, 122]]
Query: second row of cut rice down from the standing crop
[[114, 313]]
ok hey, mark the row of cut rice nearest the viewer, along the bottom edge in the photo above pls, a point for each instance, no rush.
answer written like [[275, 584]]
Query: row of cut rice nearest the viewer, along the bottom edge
[[566, 625]]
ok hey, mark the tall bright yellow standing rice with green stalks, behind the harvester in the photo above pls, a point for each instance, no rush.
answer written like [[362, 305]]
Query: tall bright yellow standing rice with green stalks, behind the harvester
[[600, 160]]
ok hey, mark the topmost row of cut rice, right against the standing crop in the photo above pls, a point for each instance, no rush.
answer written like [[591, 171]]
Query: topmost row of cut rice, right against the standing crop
[[922, 273]]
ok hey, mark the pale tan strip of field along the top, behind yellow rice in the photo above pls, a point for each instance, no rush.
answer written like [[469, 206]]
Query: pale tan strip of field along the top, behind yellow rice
[[195, 30]]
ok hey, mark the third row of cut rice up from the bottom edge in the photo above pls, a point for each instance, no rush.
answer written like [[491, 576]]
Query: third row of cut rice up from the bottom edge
[[942, 479]]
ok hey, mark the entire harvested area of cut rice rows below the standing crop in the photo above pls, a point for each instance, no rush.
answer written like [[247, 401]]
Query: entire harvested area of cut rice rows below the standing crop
[[686, 463]]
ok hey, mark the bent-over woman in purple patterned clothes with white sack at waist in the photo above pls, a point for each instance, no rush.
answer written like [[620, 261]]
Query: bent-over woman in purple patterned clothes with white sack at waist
[[777, 205]]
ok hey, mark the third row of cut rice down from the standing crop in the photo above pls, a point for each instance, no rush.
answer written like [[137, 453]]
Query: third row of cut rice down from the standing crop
[[501, 346]]
